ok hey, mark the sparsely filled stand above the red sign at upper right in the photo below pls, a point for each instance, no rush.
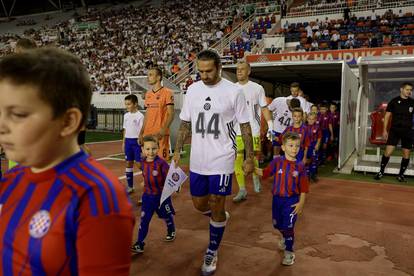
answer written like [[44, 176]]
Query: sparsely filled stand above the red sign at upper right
[[388, 29]]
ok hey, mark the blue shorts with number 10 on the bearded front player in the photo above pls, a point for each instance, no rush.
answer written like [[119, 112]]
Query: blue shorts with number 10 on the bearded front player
[[202, 185]]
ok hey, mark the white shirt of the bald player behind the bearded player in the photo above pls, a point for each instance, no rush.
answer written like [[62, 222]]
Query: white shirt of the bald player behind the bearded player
[[256, 100]]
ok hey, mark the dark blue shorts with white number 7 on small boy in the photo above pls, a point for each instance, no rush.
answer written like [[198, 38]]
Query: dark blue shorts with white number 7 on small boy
[[282, 212]]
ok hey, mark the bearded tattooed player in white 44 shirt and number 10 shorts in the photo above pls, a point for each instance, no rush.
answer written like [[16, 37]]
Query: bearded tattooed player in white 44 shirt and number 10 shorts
[[210, 109]]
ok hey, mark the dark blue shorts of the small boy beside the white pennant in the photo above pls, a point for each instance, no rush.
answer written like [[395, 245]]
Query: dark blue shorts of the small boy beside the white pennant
[[151, 204]]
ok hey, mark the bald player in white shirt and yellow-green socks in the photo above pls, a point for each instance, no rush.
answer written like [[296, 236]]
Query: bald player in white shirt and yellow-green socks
[[256, 104]]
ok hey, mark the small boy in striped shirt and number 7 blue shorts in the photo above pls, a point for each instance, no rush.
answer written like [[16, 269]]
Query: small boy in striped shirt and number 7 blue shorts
[[290, 186]]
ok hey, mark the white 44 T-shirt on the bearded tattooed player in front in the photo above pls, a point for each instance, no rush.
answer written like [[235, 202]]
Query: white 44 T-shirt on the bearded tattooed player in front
[[213, 111]]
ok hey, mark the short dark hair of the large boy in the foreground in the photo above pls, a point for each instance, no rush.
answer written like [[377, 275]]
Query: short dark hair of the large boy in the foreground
[[60, 78]]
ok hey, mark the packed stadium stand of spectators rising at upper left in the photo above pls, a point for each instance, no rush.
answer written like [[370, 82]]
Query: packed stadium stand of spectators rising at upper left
[[116, 43]]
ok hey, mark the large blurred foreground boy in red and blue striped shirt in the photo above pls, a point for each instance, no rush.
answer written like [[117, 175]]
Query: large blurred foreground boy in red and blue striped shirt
[[59, 209]]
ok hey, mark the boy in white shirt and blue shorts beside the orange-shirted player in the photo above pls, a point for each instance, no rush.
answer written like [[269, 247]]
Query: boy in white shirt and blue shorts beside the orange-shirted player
[[132, 127]]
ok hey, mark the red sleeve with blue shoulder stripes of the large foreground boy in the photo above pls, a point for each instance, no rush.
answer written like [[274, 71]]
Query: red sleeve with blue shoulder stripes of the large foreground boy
[[98, 252]]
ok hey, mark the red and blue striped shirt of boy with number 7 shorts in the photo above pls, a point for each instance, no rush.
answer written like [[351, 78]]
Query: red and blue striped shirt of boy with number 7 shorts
[[290, 177]]
